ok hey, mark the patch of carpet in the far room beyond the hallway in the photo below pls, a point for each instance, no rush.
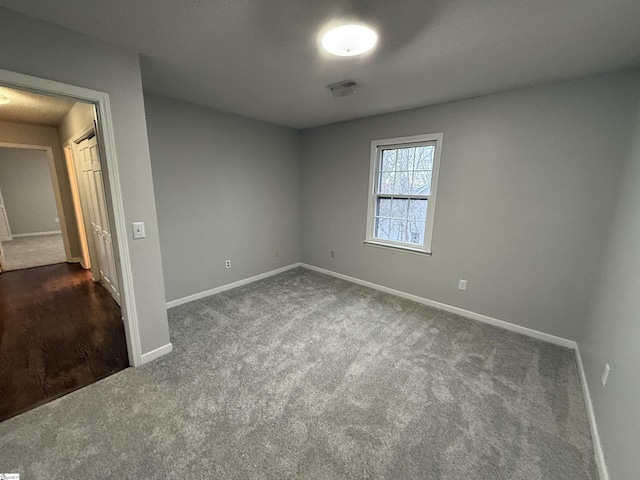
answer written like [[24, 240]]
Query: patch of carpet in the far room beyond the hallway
[[28, 252]]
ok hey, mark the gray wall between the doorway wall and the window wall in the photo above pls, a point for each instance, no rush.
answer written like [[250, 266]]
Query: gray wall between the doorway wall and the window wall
[[226, 188]]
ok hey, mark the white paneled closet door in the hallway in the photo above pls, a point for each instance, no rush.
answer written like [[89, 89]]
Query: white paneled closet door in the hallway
[[100, 228]]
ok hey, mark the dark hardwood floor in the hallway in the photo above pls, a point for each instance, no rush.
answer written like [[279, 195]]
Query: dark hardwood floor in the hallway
[[59, 331]]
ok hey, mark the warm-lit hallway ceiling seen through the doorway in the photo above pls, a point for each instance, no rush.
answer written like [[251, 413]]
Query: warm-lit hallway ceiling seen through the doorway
[[32, 108]]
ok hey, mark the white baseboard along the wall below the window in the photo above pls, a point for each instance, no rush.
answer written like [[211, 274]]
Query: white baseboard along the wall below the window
[[450, 308]]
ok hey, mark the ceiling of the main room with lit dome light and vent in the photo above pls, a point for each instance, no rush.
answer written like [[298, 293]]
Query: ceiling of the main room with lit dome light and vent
[[260, 58]]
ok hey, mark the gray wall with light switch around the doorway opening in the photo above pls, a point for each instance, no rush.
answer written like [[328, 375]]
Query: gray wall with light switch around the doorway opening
[[44, 50]]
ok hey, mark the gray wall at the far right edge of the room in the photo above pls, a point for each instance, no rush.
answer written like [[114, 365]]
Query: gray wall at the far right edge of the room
[[611, 333]]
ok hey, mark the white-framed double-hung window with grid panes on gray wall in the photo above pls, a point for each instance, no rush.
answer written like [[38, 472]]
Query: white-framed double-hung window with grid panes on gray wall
[[402, 194]]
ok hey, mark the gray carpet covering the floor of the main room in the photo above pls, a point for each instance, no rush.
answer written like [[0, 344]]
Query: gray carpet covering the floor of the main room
[[305, 376]]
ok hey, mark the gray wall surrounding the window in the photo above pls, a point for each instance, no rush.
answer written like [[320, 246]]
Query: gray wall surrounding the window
[[527, 184]]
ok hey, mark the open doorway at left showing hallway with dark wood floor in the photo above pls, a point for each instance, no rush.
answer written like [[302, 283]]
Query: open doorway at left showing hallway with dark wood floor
[[61, 325]]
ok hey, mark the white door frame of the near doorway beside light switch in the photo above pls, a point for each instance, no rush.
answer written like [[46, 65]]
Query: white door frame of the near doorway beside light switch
[[113, 189]]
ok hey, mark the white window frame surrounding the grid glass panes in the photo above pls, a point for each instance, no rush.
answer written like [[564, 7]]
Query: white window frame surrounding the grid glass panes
[[374, 170]]
